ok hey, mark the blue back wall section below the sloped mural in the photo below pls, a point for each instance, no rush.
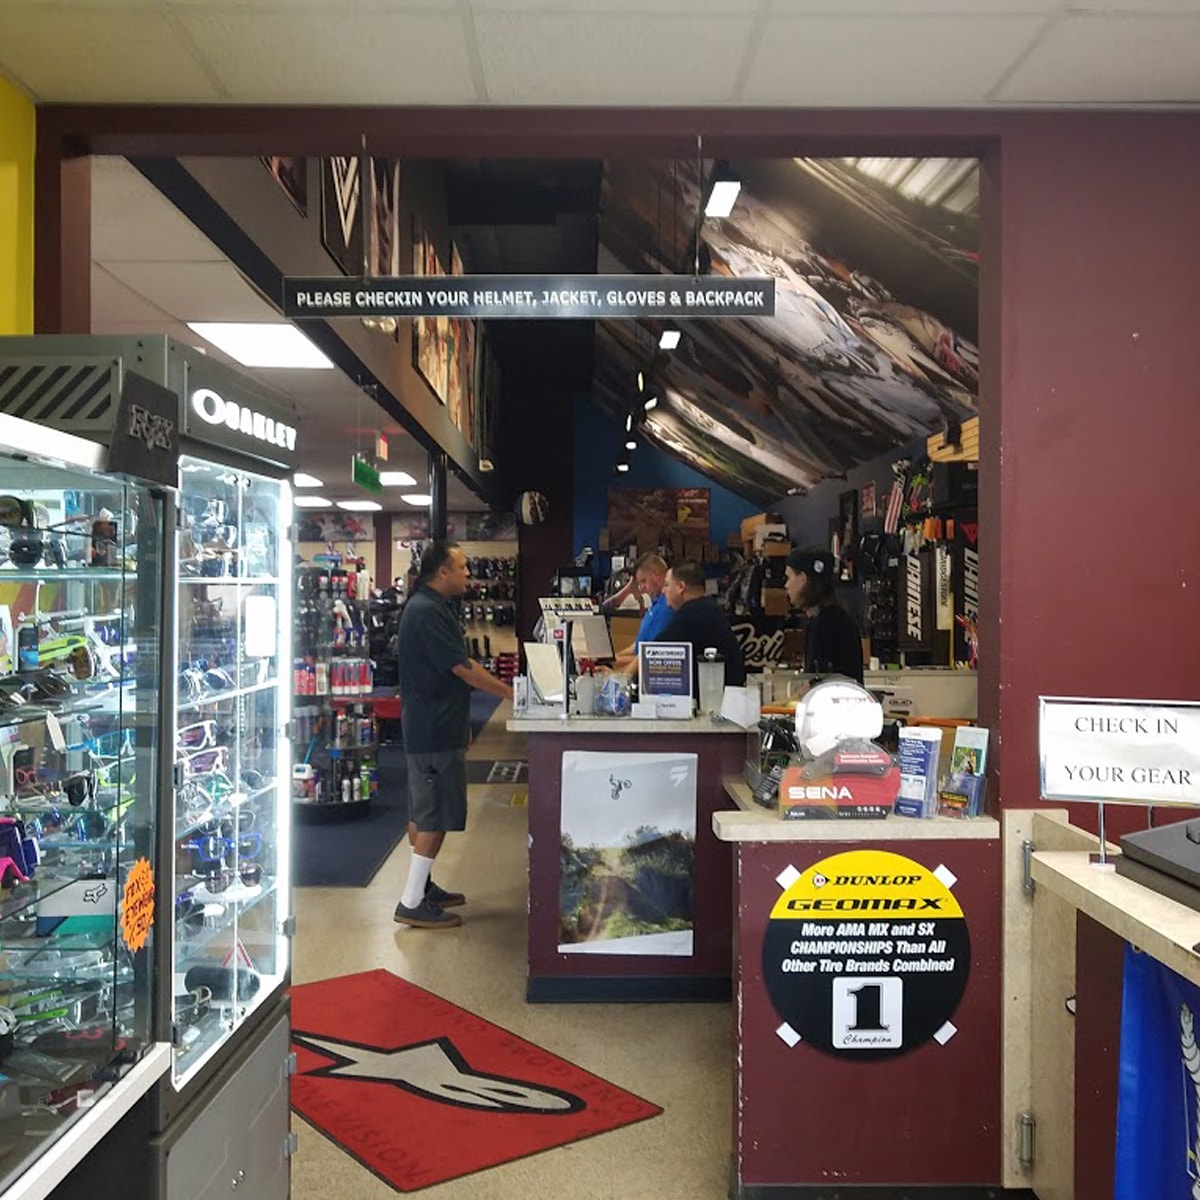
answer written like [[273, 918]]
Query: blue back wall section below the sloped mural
[[598, 443]]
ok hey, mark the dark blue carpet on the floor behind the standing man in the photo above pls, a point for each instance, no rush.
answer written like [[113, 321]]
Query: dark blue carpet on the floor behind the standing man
[[345, 849]]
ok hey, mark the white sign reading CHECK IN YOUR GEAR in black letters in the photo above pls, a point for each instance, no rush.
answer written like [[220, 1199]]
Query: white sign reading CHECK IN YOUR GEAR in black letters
[[1123, 751]]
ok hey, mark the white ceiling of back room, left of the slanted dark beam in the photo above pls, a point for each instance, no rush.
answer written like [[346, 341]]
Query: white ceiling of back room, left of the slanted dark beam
[[153, 272]]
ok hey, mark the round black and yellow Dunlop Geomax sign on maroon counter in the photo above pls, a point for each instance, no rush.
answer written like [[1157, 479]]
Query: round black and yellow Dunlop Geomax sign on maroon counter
[[867, 956]]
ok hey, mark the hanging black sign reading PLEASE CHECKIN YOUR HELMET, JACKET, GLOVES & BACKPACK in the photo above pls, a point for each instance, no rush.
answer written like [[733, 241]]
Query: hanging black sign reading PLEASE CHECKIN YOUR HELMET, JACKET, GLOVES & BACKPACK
[[531, 297]]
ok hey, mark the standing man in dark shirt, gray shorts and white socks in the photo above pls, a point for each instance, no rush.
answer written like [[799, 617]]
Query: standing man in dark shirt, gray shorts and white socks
[[436, 679]]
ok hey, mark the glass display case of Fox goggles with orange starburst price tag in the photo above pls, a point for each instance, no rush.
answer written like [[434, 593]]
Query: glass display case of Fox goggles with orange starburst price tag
[[82, 604]]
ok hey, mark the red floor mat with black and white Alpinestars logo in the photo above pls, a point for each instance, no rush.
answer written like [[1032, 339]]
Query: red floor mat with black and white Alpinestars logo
[[421, 1091]]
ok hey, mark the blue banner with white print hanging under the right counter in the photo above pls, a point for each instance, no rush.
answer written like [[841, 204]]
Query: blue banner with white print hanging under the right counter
[[1159, 1084]]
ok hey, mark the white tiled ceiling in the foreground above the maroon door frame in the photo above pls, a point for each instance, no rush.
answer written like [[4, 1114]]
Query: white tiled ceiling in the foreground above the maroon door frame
[[819, 53]]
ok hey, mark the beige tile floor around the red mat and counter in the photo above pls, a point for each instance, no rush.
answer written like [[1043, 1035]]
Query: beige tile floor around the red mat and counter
[[677, 1057]]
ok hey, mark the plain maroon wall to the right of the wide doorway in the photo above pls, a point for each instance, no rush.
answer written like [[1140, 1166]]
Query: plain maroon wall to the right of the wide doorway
[[1100, 279]]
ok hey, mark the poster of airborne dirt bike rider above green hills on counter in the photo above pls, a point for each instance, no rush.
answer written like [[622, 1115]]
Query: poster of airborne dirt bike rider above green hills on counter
[[628, 854]]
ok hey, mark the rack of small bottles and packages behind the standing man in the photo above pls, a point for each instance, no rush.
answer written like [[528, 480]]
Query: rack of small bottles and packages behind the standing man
[[337, 733]]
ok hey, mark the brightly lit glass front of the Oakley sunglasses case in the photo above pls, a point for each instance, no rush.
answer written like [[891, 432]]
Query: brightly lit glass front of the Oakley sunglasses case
[[233, 757]]
